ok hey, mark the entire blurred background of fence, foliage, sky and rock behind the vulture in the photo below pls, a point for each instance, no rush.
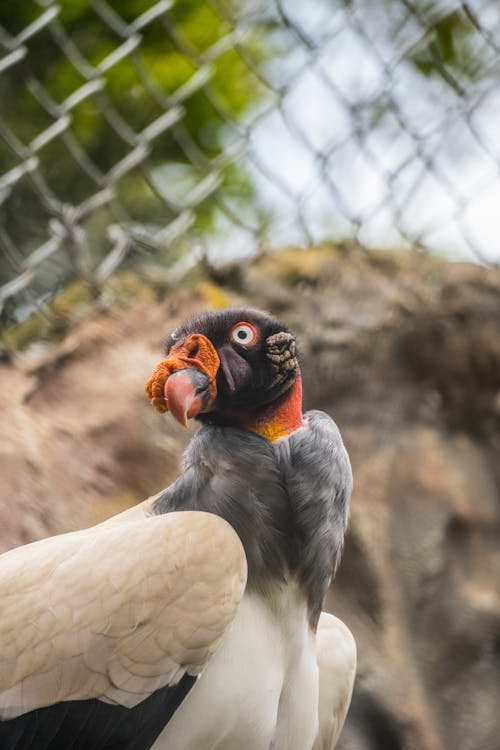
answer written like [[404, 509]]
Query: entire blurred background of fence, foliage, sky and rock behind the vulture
[[336, 162]]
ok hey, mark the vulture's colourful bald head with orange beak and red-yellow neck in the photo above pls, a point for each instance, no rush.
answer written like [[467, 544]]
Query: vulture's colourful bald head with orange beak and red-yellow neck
[[236, 367]]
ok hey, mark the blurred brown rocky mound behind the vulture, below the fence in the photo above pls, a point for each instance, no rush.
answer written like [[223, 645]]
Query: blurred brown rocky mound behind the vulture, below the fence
[[404, 353]]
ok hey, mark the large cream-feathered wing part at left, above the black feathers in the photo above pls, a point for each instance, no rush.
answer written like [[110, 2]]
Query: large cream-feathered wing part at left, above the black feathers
[[117, 611]]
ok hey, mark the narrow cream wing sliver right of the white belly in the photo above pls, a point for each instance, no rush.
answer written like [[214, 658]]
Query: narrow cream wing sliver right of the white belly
[[336, 656]]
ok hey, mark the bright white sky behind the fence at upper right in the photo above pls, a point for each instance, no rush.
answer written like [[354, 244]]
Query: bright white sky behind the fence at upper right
[[363, 144]]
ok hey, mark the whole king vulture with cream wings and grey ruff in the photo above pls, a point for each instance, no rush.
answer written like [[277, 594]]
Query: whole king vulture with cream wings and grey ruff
[[194, 619]]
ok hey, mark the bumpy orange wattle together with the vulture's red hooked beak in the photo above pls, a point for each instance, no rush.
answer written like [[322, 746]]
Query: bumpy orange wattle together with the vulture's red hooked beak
[[184, 383]]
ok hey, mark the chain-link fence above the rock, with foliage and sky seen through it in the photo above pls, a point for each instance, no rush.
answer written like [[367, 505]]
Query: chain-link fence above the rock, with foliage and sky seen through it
[[141, 134]]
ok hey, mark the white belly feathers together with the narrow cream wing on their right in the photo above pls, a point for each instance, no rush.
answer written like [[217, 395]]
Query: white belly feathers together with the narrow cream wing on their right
[[261, 690]]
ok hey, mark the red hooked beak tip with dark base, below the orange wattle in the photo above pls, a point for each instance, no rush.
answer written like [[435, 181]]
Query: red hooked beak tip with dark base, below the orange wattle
[[187, 393]]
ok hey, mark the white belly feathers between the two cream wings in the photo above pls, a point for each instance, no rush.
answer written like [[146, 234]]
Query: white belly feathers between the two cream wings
[[261, 688]]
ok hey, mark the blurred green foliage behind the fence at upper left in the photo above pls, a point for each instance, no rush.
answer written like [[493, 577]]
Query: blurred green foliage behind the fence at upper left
[[105, 124]]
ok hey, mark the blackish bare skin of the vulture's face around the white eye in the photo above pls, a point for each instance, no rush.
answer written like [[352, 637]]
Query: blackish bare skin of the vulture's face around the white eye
[[255, 385]]
